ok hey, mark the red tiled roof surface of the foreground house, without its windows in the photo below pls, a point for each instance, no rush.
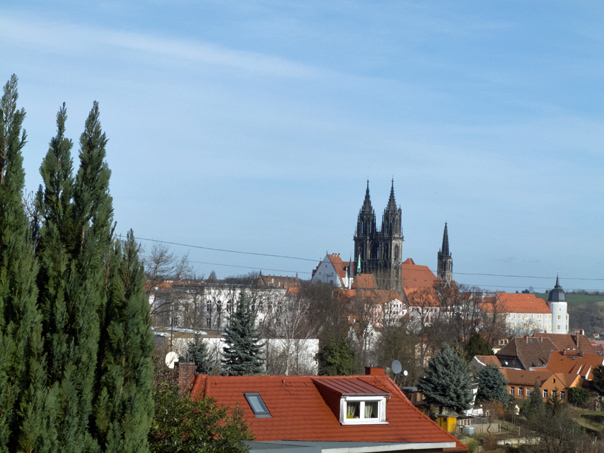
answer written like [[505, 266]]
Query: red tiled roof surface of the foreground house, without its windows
[[300, 412]]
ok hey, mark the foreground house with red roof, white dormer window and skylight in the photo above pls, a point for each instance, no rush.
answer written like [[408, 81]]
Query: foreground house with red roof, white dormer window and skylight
[[367, 413]]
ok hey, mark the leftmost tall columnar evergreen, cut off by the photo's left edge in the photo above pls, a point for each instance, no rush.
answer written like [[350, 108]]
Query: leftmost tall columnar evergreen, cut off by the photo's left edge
[[26, 405]]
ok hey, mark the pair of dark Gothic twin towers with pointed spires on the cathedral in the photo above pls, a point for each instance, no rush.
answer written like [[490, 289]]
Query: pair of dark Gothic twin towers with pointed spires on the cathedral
[[379, 252]]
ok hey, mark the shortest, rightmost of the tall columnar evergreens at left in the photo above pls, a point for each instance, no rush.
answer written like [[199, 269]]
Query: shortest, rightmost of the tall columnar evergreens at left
[[124, 408]]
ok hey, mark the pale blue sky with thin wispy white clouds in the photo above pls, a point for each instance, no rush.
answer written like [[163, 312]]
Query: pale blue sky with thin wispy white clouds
[[253, 126]]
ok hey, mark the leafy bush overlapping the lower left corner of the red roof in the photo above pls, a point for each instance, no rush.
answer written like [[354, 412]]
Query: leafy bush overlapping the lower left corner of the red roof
[[181, 424]]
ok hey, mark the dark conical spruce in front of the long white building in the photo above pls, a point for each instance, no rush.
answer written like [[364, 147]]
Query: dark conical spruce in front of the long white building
[[242, 354]]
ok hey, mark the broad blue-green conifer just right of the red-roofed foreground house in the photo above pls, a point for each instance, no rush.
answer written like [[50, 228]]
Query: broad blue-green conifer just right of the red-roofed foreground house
[[447, 382]]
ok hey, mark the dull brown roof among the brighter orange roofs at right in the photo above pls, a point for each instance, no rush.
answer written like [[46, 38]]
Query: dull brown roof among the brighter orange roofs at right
[[528, 351]]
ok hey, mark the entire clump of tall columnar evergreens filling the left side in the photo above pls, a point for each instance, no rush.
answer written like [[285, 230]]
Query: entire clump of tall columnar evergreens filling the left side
[[75, 338]]
